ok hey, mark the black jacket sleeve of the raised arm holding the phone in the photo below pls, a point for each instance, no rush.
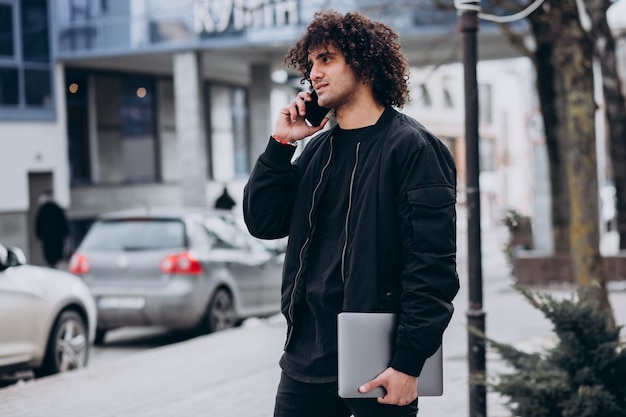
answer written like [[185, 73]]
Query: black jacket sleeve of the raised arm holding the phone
[[269, 195]]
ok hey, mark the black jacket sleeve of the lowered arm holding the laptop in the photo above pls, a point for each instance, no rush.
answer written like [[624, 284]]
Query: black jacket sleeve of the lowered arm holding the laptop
[[429, 280]]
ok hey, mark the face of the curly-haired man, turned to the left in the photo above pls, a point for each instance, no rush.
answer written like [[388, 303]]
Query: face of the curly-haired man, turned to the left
[[331, 77]]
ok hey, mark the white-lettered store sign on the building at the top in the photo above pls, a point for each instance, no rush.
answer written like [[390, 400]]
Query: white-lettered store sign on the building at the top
[[212, 17]]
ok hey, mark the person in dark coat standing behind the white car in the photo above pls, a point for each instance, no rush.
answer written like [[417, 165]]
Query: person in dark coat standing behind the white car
[[51, 228]]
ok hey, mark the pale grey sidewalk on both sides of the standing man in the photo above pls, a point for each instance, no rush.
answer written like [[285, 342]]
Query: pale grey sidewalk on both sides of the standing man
[[234, 373]]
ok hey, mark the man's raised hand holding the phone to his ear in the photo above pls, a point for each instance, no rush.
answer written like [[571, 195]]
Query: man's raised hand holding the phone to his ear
[[290, 125]]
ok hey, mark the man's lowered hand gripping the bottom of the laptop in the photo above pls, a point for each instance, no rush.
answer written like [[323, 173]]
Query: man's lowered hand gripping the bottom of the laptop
[[401, 388]]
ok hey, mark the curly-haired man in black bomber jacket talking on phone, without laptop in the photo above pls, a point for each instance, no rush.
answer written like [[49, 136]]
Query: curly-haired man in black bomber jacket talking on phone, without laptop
[[369, 208]]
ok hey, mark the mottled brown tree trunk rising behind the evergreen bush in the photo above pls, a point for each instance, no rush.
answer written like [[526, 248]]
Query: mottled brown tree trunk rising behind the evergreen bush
[[574, 55]]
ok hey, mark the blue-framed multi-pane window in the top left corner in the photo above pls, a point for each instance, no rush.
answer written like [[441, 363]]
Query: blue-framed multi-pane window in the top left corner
[[25, 68]]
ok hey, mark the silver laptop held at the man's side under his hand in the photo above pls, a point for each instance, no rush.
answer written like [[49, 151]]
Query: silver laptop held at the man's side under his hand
[[364, 350]]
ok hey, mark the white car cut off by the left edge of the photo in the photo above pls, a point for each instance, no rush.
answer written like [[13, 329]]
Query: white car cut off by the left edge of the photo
[[47, 317]]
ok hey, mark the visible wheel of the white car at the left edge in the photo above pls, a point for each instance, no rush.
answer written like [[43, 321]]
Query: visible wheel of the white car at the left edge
[[68, 346]]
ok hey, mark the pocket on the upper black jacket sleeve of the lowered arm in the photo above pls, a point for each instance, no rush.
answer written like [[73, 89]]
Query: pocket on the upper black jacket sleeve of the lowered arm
[[433, 218]]
